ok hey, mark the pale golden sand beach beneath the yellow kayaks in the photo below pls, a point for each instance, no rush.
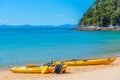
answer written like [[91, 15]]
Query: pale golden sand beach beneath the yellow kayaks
[[92, 72]]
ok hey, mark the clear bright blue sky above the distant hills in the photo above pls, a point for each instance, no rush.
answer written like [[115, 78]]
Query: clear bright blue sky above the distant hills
[[42, 12]]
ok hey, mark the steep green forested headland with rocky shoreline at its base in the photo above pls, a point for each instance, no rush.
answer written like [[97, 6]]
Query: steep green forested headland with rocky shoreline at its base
[[102, 15]]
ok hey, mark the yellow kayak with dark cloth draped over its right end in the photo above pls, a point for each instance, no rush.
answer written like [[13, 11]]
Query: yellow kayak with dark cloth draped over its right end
[[35, 69]]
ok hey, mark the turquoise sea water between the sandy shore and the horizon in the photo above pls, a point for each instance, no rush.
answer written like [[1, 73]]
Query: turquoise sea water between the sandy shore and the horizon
[[38, 46]]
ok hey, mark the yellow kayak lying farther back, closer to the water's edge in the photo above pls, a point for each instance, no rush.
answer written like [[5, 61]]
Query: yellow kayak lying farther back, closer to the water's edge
[[80, 62]]
